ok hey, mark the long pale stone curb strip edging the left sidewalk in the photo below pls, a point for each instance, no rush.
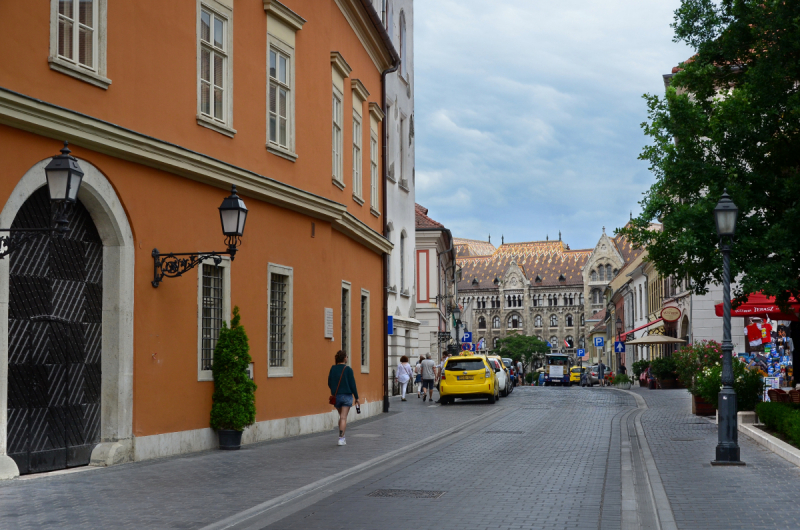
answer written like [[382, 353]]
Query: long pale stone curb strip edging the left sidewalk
[[286, 498]]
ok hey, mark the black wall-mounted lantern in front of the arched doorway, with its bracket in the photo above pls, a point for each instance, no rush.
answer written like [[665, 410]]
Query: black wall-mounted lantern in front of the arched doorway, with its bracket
[[64, 176]]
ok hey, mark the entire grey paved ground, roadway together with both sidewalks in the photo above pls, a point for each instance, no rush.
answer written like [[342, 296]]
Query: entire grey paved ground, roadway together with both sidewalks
[[541, 458]]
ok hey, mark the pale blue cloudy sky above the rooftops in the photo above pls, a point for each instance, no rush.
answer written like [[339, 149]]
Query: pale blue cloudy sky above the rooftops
[[528, 113]]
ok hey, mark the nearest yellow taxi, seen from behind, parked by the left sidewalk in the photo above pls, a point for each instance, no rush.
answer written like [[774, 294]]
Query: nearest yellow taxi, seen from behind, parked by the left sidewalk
[[468, 376]]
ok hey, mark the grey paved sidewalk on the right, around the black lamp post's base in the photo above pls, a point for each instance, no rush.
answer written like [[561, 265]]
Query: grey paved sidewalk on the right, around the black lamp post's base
[[762, 494]]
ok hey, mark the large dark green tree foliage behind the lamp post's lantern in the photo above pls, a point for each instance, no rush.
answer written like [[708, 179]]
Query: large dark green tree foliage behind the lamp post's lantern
[[730, 119]]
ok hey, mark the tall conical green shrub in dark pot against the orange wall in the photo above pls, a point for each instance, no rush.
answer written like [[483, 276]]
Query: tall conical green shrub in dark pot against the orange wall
[[234, 406]]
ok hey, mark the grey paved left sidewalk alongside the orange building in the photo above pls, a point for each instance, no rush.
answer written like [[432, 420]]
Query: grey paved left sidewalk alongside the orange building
[[192, 491]]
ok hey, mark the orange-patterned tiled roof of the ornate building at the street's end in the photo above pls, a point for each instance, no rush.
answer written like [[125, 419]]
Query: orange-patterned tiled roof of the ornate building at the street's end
[[547, 260]]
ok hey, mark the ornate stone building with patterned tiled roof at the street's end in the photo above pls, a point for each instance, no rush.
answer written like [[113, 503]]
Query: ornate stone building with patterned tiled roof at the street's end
[[541, 288]]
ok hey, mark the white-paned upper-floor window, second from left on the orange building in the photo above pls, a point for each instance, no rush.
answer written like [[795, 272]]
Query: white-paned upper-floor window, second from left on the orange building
[[213, 64]]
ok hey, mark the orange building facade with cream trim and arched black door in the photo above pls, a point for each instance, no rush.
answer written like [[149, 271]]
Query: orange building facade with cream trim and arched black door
[[166, 105]]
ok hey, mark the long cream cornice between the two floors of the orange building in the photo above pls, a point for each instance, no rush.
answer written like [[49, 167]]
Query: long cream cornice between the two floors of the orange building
[[38, 117]]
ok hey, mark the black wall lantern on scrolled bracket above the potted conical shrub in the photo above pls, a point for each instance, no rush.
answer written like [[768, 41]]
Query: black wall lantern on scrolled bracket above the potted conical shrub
[[232, 216]]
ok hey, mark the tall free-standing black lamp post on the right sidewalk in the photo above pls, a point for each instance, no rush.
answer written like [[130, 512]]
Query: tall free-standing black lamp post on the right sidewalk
[[725, 215]]
